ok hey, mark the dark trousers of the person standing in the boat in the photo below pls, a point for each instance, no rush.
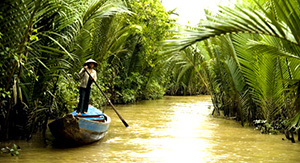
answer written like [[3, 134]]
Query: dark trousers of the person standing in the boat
[[84, 98]]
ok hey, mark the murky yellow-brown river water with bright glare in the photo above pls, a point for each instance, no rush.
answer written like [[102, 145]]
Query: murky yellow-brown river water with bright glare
[[172, 129]]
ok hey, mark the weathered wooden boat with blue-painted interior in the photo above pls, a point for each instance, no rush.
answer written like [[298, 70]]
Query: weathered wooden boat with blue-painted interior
[[83, 129]]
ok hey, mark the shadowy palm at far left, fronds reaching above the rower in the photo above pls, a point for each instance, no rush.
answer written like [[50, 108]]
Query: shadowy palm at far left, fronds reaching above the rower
[[40, 44]]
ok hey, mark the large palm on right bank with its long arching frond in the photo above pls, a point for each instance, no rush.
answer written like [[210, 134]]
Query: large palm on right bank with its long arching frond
[[269, 64]]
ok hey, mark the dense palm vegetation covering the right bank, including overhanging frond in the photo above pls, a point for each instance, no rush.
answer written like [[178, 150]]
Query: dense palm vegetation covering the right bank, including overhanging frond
[[250, 62]]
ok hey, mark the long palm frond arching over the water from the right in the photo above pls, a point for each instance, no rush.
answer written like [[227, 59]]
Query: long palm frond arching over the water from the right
[[243, 19]]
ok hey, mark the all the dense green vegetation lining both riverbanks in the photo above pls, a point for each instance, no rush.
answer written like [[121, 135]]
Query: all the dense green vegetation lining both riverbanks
[[245, 57]]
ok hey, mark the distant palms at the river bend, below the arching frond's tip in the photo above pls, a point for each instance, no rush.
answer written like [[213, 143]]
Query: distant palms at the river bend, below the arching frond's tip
[[185, 67]]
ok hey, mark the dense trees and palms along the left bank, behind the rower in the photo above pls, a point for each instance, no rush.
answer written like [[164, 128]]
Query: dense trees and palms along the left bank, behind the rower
[[44, 43]]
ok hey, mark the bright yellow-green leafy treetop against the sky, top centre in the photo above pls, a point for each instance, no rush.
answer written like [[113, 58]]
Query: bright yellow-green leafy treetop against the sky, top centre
[[154, 20]]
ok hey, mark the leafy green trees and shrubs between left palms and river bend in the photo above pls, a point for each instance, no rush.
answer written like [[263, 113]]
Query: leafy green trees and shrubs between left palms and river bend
[[129, 68]]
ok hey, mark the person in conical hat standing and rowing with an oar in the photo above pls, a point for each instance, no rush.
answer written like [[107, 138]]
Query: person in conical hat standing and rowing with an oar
[[85, 85]]
